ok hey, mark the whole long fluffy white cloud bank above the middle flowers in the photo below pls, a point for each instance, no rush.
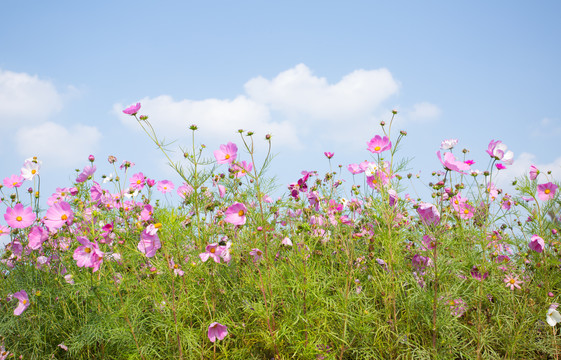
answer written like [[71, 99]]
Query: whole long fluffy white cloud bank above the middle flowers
[[295, 106]]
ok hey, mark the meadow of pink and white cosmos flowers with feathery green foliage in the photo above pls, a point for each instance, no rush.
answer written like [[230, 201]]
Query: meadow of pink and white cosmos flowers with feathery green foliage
[[329, 270]]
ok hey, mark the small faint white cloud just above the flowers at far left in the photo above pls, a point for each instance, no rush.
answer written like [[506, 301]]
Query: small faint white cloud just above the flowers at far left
[[61, 146]]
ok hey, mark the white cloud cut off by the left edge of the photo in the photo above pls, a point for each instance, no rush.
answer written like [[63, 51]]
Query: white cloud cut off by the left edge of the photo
[[26, 99]]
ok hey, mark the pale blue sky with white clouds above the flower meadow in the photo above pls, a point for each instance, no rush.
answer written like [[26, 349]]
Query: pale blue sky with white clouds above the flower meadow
[[318, 75]]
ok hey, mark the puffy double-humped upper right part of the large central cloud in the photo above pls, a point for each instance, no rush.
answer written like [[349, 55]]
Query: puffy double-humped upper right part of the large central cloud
[[298, 92]]
